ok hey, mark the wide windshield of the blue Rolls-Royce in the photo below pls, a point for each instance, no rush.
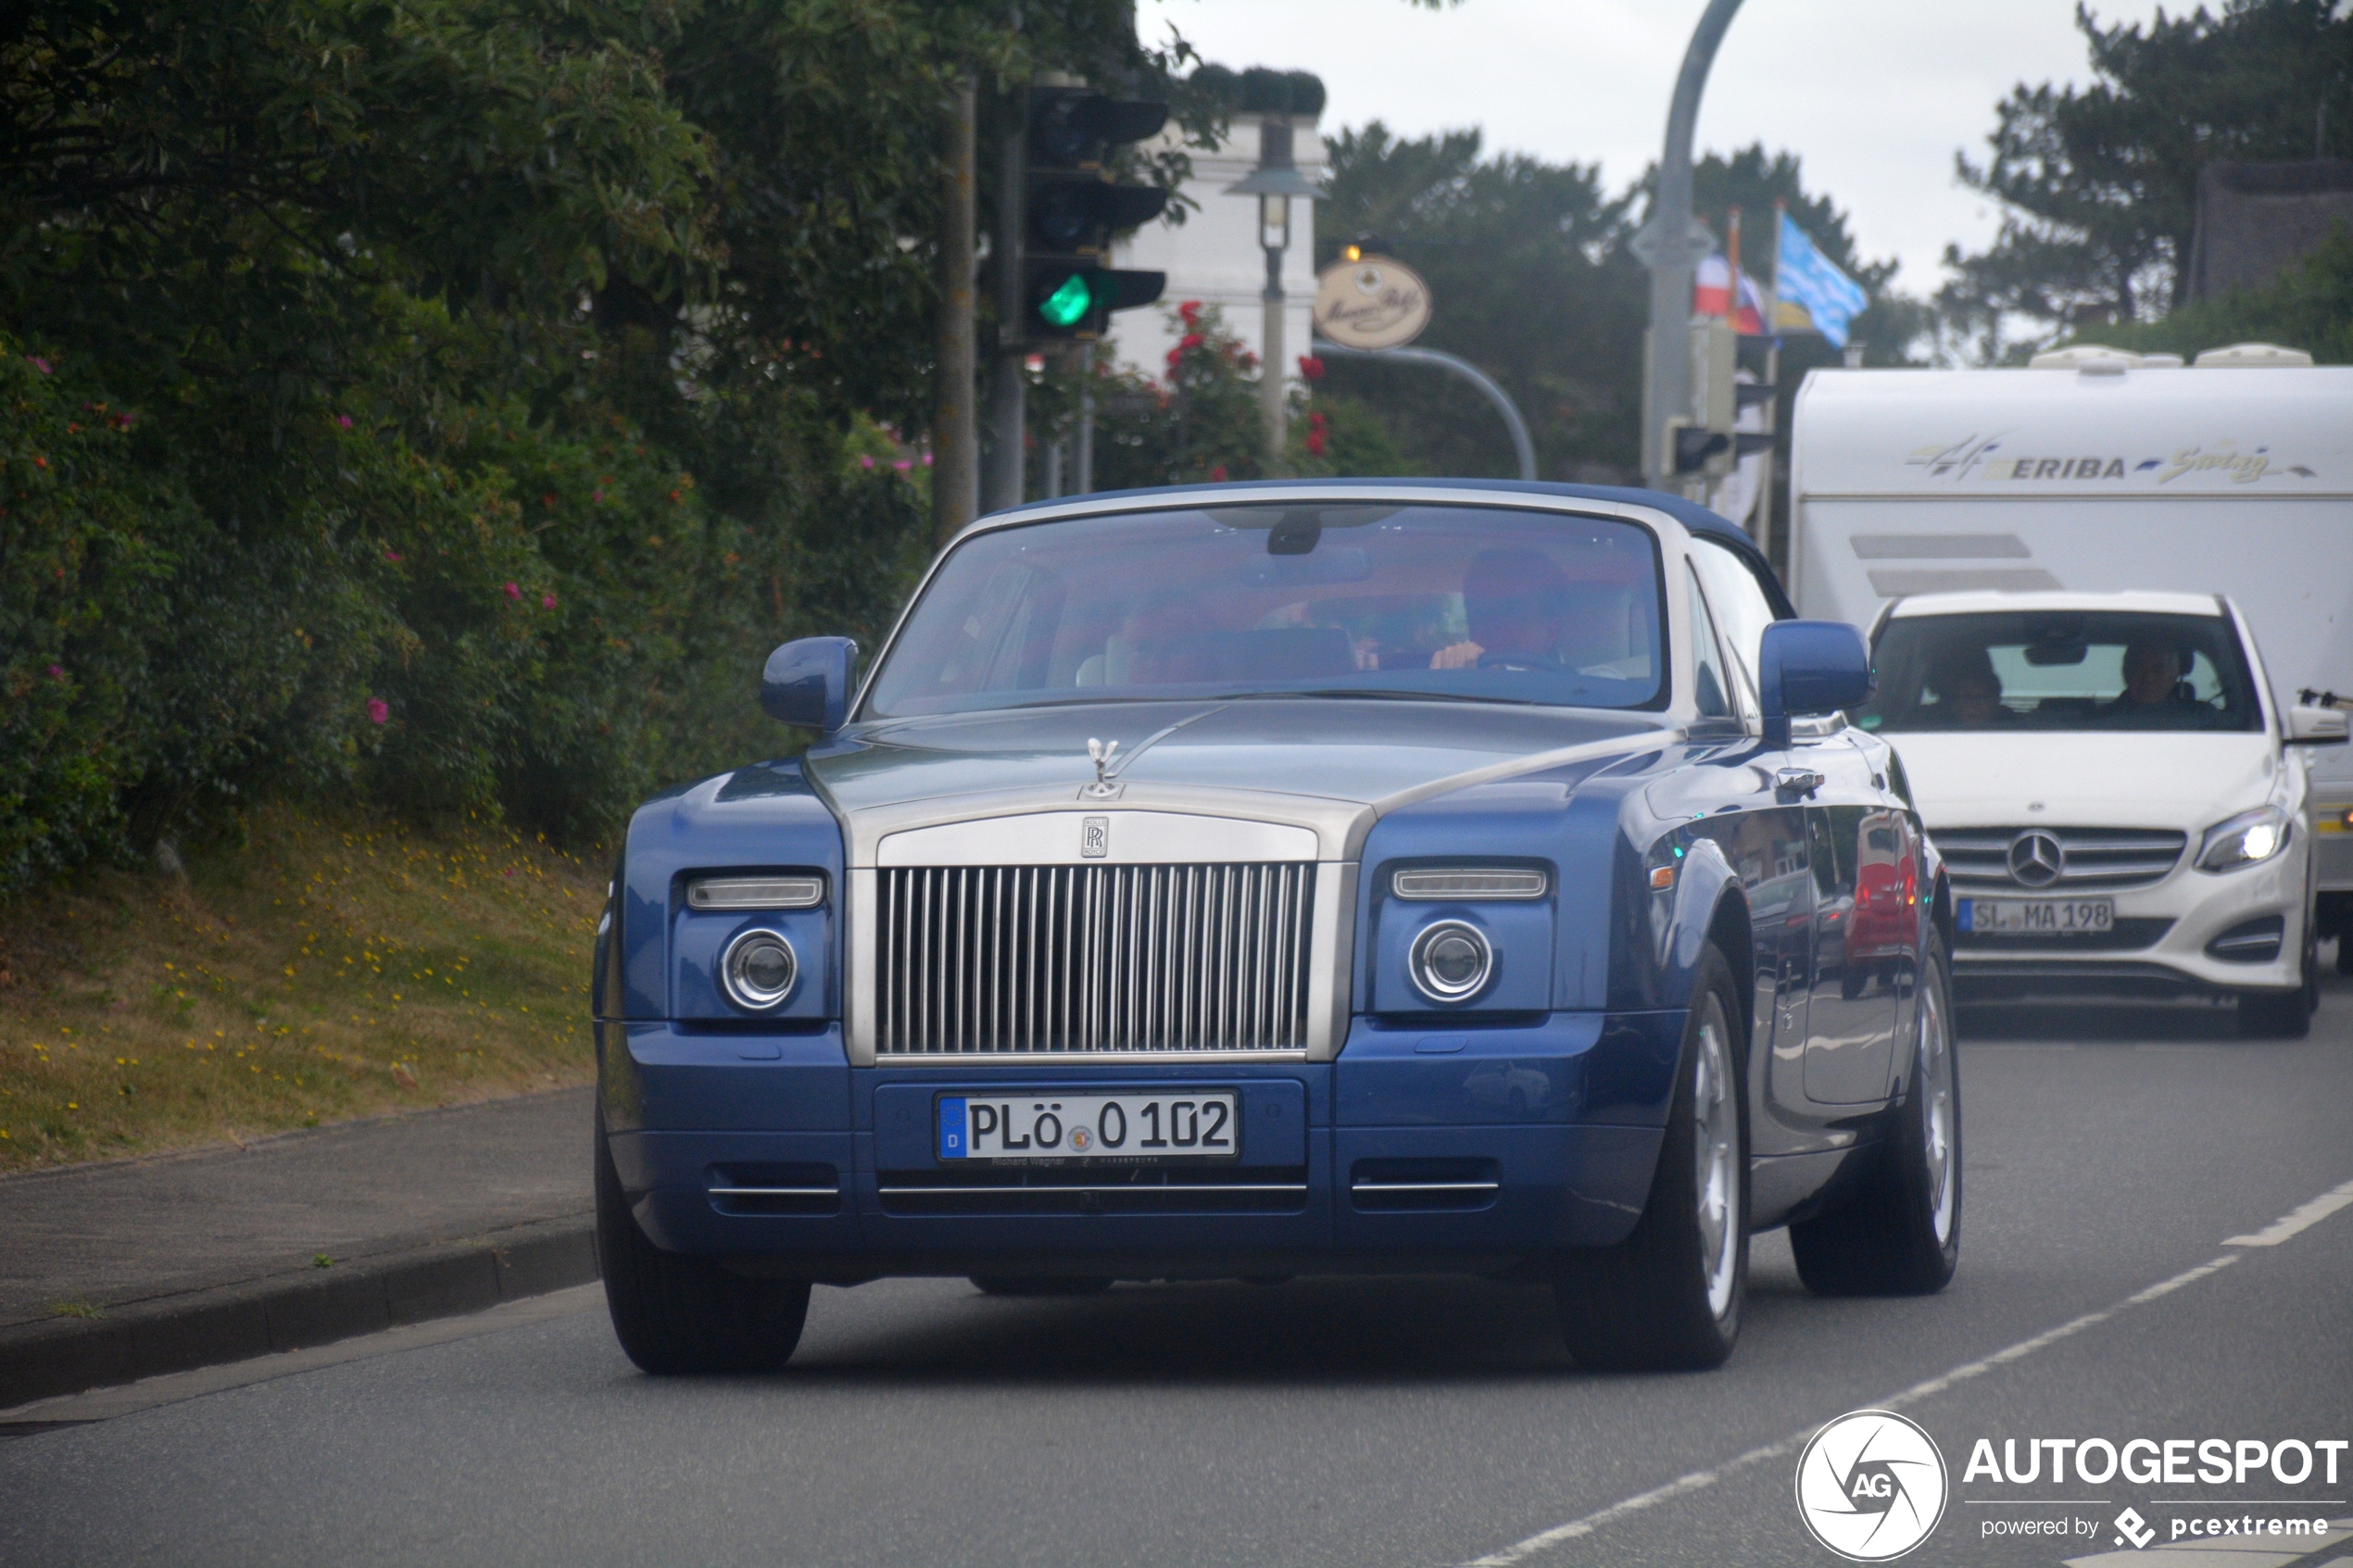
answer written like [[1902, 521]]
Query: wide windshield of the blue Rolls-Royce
[[1267, 601]]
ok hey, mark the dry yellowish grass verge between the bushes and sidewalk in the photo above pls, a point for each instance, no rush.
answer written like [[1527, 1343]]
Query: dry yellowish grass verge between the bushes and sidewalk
[[324, 970]]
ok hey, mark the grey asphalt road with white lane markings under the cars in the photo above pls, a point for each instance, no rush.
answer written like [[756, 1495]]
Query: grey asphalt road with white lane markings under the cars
[[1415, 1423]]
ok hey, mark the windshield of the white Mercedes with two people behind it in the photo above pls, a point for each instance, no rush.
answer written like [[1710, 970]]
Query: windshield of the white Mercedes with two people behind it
[[2060, 671]]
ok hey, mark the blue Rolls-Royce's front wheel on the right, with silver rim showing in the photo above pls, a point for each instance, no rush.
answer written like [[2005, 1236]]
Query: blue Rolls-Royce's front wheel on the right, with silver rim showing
[[1669, 1296]]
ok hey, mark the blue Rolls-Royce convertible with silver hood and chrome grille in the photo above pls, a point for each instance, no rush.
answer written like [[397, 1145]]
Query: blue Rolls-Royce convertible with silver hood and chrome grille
[[1267, 880]]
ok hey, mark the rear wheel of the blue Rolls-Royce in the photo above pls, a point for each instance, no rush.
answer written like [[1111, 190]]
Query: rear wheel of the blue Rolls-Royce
[[1902, 1233]]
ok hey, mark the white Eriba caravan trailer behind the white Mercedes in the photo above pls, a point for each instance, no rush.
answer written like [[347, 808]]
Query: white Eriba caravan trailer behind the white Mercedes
[[2100, 471]]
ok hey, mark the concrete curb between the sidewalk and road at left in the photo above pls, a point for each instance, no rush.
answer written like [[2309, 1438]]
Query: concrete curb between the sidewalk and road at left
[[293, 1311]]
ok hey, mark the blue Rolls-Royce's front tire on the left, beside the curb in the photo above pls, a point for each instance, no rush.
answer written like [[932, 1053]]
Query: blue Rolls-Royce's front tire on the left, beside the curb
[[688, 1315]]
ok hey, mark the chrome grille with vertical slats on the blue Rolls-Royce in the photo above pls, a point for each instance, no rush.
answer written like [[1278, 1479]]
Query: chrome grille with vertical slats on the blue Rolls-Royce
[[989, 960]]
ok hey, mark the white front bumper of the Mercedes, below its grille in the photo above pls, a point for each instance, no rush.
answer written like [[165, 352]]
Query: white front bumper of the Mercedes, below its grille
[[2171, 937]]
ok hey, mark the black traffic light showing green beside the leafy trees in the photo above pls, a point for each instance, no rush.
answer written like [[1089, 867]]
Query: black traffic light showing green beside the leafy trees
[[1072, 210]]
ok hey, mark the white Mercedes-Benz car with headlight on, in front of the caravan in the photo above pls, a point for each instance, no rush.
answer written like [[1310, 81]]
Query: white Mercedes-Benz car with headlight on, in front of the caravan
[[2117, 791]]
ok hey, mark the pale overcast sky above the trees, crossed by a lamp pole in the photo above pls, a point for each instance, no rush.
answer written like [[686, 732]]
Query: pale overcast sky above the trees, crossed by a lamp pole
[[1874, 95]]
